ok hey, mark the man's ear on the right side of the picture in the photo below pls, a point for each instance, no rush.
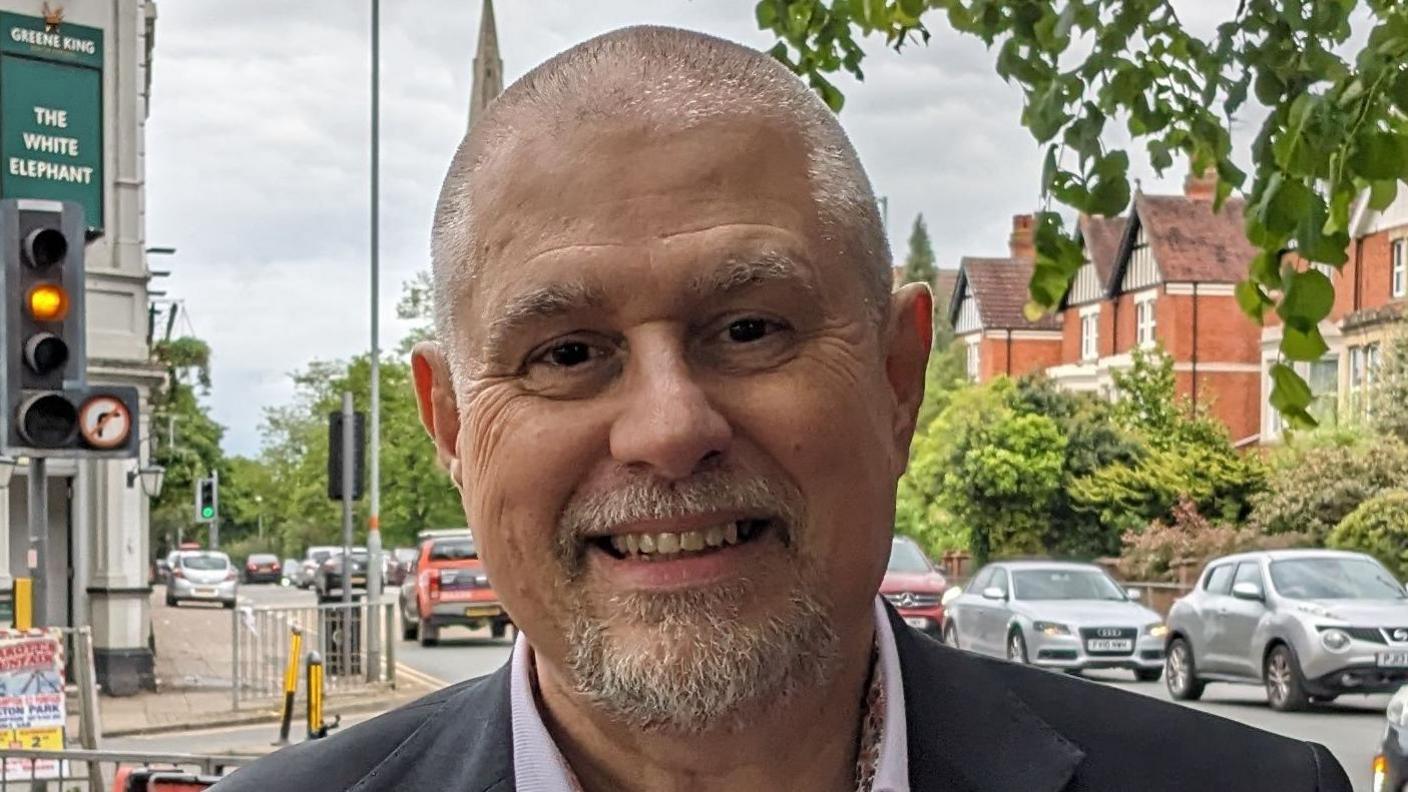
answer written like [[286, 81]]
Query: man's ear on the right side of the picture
[[907, 359]]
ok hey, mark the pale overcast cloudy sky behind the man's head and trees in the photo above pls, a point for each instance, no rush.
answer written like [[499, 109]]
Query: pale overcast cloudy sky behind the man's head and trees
[[260, 135]]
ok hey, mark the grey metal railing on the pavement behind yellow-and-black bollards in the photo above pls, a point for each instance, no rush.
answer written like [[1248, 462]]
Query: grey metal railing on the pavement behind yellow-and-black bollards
[[263, 639]]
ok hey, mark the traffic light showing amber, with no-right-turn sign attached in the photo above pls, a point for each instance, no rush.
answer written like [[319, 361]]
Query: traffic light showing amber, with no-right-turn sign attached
[[49, 408]]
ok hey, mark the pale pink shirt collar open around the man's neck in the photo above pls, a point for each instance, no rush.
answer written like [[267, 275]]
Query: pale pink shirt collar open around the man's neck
[[539, 766]]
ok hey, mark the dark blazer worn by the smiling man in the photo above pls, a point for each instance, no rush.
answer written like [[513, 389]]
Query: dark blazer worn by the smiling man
[[976, 725]]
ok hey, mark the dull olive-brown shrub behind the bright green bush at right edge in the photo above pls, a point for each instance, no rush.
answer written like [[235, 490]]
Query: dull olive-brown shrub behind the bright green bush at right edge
[[1347, 470]]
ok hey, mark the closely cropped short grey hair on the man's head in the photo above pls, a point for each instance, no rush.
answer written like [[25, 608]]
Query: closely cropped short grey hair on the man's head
[[678, 80]]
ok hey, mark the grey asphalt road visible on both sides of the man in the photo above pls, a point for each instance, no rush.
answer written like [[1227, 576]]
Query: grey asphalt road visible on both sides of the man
[[1350, 728]]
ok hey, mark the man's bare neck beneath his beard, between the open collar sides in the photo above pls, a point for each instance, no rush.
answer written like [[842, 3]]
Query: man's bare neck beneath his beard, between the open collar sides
[[807, 743]]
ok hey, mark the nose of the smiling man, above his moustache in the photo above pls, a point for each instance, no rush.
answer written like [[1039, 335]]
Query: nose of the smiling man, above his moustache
[[668, 426]]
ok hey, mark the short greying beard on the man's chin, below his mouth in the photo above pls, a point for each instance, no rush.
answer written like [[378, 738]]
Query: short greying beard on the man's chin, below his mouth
[[698, 667]]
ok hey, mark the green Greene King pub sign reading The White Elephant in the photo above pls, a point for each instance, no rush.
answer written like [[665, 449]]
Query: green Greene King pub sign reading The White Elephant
[[51, 112]]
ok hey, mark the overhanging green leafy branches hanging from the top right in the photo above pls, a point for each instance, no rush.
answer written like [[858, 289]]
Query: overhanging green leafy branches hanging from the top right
[[1335, 129]]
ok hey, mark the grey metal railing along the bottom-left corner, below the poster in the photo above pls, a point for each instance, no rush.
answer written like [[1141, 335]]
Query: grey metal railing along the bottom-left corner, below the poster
[[94, 772]]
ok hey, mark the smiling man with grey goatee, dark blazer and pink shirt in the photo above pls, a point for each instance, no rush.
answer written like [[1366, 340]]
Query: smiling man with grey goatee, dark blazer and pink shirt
[[677, 394]]
